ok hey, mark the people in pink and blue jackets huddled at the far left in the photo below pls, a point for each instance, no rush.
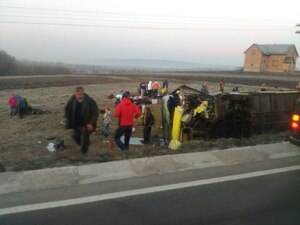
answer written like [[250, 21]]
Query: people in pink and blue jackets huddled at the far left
[[18, 105]]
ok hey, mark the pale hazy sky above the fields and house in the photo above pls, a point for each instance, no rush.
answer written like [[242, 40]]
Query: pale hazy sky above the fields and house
[[215, 32]]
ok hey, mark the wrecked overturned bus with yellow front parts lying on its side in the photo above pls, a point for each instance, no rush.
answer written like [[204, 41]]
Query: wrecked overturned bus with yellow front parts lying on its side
[[188, 113]]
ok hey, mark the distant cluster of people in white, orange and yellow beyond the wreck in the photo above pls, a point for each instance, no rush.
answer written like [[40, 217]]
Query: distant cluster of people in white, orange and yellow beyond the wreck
[[151, 89]]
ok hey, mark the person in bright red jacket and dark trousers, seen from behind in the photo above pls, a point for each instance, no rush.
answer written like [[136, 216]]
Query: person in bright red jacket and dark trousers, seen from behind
[[126, 111]]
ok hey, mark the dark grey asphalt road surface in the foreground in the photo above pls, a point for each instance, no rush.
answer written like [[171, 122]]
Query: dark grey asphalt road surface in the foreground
[[262, 198]]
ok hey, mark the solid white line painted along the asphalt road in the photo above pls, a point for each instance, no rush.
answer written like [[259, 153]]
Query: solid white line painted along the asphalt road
[[122, 194]]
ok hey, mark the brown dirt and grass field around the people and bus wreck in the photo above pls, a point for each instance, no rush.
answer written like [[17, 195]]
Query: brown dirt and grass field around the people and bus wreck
[[23, 142]]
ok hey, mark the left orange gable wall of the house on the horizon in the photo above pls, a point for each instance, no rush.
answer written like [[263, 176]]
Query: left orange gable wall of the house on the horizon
[[253, 59]]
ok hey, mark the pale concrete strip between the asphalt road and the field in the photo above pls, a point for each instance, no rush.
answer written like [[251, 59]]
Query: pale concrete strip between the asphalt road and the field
[[74, 175]]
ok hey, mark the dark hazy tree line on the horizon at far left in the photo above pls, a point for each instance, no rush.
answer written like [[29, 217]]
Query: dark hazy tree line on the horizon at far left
[[9, 66]]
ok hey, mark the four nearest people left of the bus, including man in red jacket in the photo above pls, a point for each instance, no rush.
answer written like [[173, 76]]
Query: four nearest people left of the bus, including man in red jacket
[[82, 114]]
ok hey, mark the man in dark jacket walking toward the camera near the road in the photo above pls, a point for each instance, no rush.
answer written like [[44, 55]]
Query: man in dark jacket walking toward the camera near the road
[[81, 114]]
